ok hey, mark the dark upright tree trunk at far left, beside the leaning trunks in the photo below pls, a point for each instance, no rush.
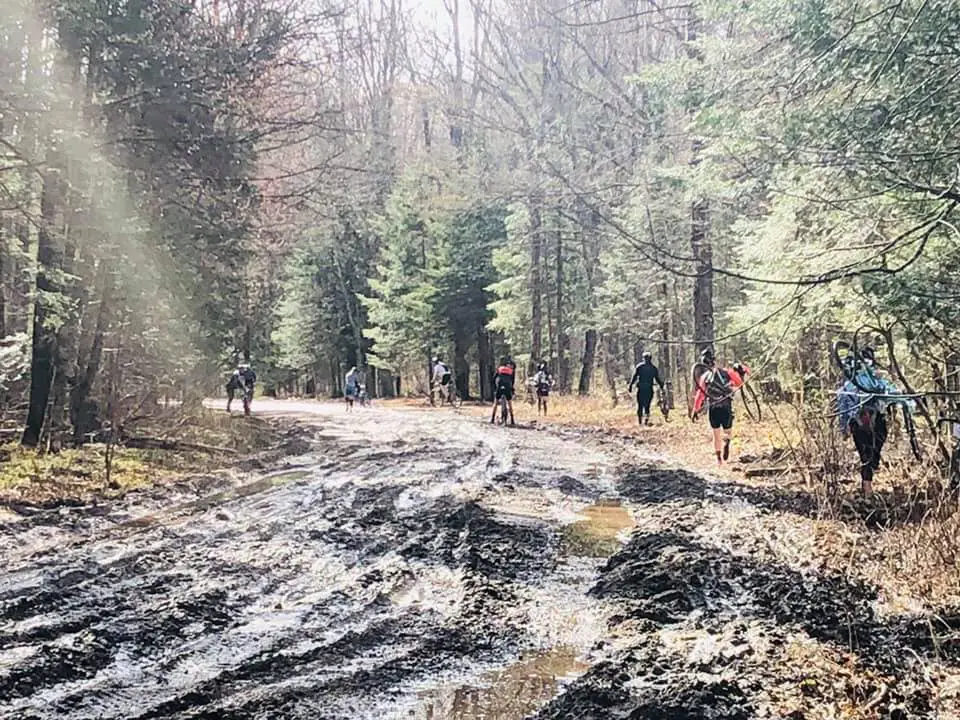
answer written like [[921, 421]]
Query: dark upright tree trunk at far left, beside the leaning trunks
[[44, 346]]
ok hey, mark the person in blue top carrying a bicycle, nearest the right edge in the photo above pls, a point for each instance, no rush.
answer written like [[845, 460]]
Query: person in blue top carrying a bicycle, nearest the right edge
[[863, 400]]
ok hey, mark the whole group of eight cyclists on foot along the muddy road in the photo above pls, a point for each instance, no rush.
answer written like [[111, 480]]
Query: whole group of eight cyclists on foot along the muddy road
[[863, 398]]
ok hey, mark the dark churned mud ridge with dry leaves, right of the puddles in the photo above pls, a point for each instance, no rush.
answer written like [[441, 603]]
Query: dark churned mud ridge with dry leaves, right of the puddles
[[712, 622]]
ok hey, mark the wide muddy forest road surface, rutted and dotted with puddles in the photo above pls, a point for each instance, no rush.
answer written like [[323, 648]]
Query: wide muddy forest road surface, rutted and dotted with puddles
[[425, 565]]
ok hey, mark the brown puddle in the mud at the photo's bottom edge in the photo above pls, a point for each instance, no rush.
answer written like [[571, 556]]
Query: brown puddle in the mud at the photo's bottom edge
[[509, 694]]
